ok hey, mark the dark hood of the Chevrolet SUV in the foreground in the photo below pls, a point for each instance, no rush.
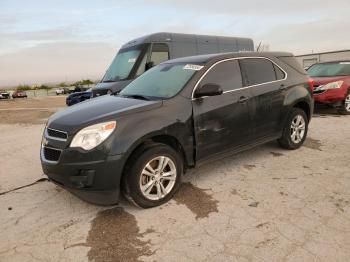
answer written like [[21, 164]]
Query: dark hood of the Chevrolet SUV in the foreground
[[98, 110]]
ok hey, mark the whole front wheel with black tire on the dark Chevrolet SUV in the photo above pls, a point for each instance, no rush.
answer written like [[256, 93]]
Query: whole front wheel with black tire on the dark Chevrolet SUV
[[138, 174]]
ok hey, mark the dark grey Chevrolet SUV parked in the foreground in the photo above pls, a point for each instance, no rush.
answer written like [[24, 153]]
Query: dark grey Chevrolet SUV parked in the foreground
[[174, 117]]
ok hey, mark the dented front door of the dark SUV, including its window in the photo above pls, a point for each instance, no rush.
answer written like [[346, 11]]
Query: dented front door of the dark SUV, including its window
[[223, 121]]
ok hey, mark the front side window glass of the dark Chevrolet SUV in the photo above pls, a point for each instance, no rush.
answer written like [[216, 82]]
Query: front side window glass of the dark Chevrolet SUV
[[226, 74]]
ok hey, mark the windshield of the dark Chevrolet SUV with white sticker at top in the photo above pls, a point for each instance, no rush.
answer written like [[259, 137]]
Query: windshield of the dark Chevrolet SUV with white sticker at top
[[162, 81]]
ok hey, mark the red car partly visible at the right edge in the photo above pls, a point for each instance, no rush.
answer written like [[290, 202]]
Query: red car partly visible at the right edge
[[332, 84]]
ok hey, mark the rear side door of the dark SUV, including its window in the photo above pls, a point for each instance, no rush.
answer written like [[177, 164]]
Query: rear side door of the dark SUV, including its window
[[265, 81]]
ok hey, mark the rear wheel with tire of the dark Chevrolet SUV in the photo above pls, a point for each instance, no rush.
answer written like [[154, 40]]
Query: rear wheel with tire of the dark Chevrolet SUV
[[294, 137]]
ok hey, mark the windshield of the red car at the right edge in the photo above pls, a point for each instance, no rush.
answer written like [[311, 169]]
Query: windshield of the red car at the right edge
[[330, 69]]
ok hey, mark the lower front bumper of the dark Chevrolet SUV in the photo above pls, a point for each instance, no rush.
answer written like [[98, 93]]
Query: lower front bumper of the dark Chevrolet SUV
[[96, 182]]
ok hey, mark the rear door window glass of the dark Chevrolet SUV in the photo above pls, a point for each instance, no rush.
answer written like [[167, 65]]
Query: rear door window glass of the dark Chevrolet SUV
[[258, 71]]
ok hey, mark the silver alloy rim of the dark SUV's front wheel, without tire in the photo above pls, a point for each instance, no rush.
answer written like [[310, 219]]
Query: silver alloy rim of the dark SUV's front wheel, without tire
[[158, 178]]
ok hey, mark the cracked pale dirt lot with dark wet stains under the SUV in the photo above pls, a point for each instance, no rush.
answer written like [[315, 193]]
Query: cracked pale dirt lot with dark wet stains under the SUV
[[265, 204]]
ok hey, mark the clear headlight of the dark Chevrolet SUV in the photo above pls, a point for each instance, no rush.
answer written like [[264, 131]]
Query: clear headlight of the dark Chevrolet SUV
[[91, 136]]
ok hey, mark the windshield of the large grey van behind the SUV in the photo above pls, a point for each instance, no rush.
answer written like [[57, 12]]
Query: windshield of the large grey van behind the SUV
[[123, 63]]
